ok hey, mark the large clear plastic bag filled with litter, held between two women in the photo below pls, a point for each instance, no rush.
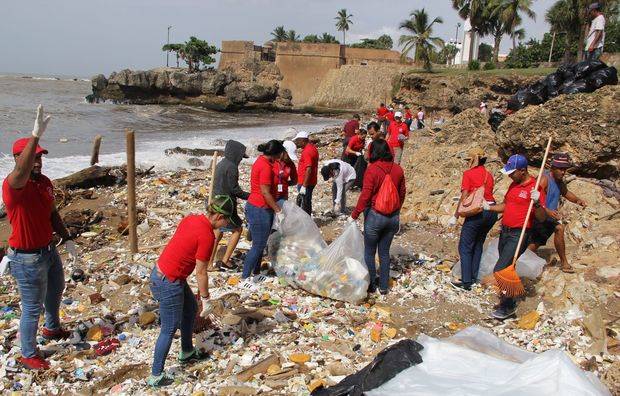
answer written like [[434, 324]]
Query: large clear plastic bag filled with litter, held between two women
[[302, 259]]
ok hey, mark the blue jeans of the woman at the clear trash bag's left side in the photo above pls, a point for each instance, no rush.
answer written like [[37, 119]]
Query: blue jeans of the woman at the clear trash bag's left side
[[260, 221]]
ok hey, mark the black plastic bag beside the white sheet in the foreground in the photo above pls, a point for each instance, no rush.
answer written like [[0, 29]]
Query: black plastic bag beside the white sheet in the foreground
[[384, 367]]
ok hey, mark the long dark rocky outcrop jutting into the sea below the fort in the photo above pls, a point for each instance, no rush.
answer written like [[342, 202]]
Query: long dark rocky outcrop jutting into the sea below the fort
[[217, 90]]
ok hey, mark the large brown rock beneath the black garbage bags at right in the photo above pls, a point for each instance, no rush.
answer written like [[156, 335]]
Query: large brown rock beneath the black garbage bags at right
[[585, 125]]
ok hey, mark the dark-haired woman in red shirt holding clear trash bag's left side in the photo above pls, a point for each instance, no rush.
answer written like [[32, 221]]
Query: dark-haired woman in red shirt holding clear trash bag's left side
[[261, 205]]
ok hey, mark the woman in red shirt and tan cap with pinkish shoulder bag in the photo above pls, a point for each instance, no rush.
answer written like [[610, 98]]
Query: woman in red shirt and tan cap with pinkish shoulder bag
[[475, 228]]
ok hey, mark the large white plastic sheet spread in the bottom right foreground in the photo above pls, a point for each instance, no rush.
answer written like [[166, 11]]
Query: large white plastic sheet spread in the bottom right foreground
[[476, 362]]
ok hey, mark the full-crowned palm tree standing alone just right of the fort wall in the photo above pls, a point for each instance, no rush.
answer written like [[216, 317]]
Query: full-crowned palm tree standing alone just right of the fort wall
[[419, 37]]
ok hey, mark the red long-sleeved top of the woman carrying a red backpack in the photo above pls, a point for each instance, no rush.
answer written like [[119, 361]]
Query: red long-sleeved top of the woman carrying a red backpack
[[373, 178]]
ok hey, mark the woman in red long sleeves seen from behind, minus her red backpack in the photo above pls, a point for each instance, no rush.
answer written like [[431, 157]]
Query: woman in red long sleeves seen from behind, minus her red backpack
[[379, 229]]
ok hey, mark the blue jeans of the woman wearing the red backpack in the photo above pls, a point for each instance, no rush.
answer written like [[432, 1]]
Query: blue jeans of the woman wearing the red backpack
[[379, 230]]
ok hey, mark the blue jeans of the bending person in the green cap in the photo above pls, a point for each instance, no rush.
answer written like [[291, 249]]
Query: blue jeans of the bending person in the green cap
[[177, 309]]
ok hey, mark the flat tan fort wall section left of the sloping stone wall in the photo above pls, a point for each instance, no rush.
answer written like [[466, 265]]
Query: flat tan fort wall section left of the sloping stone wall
[[304, 65]]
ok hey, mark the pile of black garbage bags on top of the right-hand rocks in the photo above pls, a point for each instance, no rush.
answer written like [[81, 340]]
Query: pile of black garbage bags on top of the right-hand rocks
[[582, 77]]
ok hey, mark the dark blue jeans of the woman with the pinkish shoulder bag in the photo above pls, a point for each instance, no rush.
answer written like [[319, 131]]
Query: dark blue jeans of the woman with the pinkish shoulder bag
[[473, 234]]
